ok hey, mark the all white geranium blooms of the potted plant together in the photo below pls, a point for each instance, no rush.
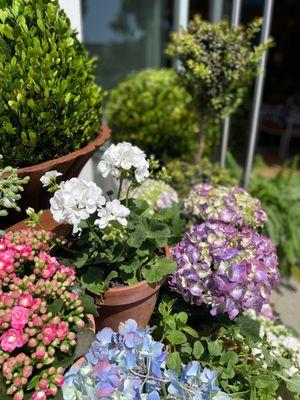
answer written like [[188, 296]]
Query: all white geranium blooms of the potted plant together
[[76, 200]]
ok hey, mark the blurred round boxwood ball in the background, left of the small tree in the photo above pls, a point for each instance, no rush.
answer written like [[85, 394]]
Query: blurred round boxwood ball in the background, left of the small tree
[[152, 110]]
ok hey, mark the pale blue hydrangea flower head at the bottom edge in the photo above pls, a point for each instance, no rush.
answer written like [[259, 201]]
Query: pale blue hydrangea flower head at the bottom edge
[[130, 365]]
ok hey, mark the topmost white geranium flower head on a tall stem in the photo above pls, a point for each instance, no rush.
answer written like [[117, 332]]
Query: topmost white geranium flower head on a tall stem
[[124, 156]]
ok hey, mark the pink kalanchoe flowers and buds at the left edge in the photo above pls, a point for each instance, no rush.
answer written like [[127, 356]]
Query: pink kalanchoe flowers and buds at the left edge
[[39, 315]]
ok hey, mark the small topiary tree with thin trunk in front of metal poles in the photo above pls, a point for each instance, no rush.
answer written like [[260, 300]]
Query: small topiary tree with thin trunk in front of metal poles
[[218, 64]]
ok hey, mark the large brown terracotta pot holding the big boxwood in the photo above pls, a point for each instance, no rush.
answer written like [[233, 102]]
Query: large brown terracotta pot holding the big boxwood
[[70, 165]]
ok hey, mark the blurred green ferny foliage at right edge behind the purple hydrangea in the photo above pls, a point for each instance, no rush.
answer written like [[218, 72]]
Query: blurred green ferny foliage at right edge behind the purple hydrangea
[[280, 197]]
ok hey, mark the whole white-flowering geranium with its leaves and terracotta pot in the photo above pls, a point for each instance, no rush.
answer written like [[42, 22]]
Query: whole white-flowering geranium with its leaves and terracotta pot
[[117, 245]]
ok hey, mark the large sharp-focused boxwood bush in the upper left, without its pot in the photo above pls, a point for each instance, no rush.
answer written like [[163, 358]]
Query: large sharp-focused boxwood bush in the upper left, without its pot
[[49, 102]]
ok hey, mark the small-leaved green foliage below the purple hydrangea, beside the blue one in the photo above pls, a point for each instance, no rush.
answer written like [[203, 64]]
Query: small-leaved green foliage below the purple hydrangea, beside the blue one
[[235, 349]]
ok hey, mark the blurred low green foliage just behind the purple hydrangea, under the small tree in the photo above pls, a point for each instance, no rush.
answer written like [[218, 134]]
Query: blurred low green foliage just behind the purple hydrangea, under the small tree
[[186, 174]]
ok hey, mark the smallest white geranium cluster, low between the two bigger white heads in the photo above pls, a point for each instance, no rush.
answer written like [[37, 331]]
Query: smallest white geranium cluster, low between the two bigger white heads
[[113, 211]]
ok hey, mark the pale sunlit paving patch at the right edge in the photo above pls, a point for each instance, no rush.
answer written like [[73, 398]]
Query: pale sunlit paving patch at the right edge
[[286, 301]]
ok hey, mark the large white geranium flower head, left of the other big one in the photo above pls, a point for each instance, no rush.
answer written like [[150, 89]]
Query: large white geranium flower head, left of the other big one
[[75, 201]]
